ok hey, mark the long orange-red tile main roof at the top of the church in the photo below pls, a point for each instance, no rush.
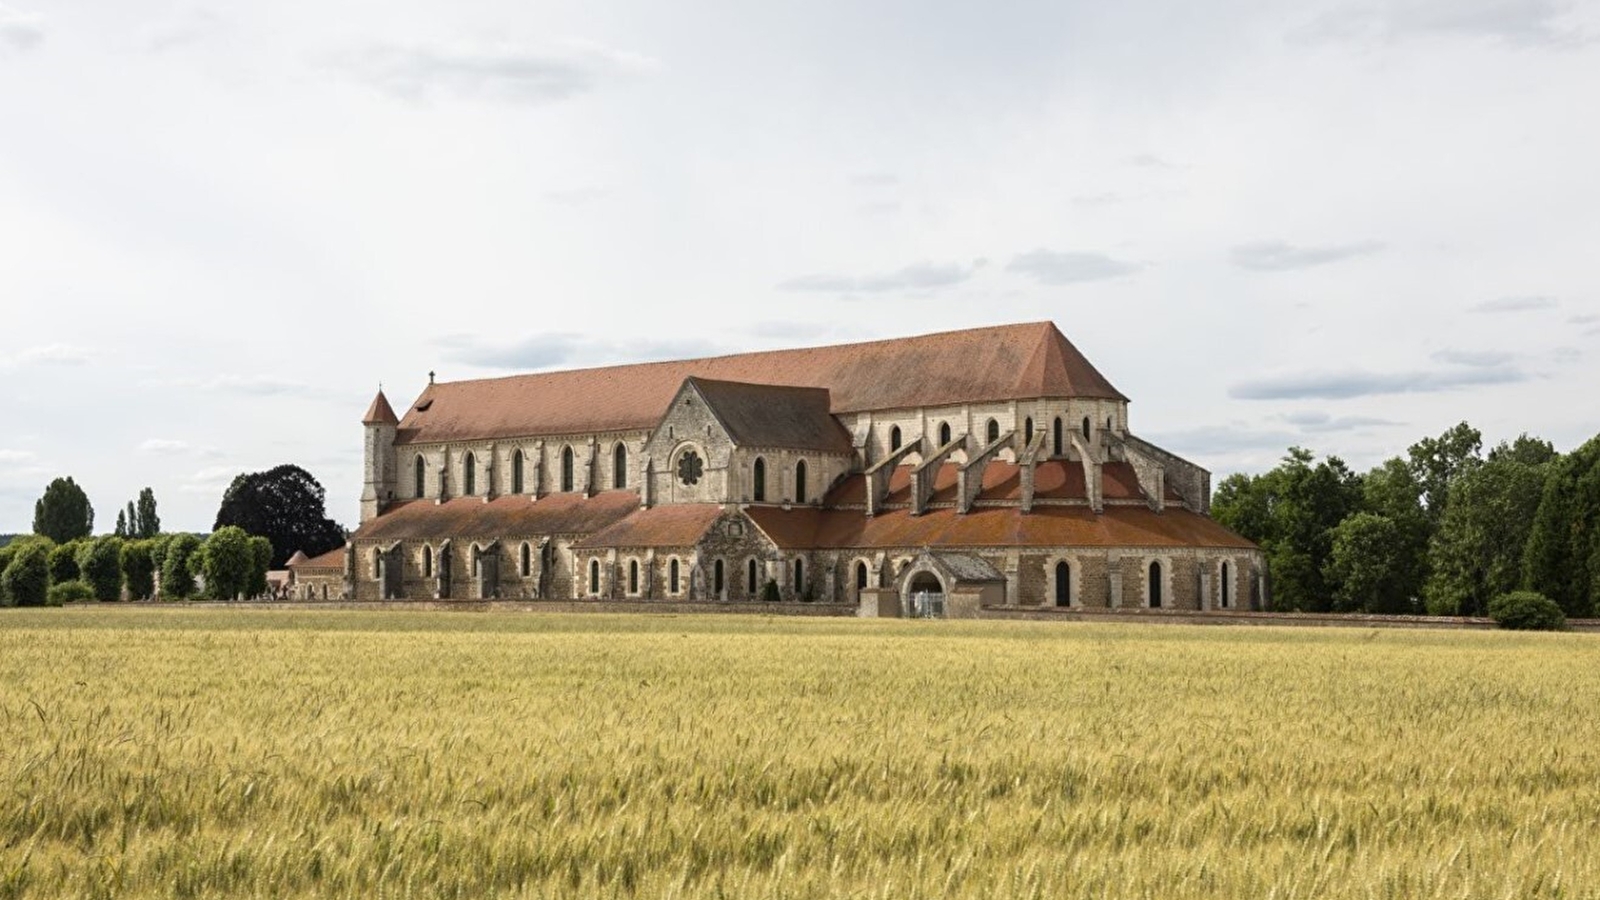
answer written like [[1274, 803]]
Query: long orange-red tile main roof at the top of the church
[[1002, 363]]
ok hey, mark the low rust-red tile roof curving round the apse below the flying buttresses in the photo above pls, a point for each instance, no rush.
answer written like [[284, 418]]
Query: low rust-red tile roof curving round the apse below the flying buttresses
[[994, 528]]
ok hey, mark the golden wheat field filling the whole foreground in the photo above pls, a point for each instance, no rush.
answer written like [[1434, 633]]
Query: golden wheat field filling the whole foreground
[[246, 753]]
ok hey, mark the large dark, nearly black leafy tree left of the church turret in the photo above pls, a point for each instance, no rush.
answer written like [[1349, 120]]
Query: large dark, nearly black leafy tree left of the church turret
[[284, 505]]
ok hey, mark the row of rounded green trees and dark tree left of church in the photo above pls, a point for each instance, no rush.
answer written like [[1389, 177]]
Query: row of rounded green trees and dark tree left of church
[[263, 520]]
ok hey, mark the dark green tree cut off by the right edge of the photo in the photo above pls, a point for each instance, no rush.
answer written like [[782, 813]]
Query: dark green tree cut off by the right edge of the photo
[[1562, 560]]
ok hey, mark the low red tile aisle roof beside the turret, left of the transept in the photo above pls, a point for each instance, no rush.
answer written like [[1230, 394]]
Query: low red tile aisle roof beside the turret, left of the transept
[[505, 516]]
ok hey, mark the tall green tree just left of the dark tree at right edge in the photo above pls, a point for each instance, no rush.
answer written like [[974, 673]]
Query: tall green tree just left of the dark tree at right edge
[[1478, 553]]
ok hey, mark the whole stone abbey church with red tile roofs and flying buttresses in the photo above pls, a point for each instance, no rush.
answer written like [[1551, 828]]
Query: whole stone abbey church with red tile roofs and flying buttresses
[[950, 473]]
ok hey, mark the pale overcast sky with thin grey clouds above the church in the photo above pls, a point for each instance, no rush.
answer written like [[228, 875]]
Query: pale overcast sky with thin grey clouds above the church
[[1343, 225]]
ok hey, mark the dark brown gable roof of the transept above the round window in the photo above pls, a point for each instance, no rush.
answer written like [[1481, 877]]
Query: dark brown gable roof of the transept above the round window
[[775, 416]]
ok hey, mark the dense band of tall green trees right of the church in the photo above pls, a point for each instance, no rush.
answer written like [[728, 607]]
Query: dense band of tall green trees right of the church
[[1444, 529]]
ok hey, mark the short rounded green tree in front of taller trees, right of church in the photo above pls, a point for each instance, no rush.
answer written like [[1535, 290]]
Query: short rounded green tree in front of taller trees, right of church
[[1370, 568]]
